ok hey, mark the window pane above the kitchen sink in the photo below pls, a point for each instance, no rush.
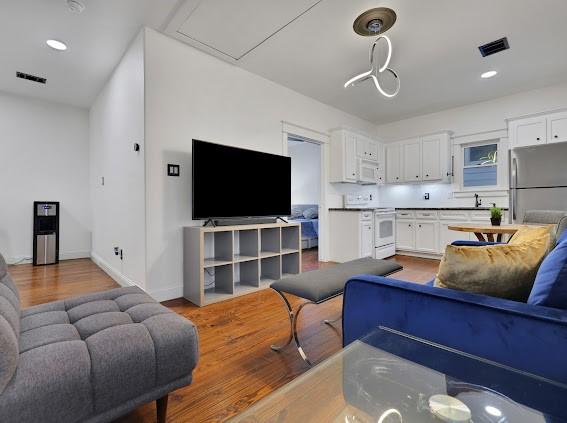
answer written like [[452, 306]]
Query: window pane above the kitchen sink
[[480, 165]]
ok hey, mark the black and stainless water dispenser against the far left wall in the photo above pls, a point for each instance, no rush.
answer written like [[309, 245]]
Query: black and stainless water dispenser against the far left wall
[[45, 232]]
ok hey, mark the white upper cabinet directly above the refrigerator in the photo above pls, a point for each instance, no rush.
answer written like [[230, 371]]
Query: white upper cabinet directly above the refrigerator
[[538, 130]]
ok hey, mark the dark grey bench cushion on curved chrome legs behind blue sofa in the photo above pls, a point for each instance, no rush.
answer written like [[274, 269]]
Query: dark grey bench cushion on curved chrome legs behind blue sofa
[[319, 285]]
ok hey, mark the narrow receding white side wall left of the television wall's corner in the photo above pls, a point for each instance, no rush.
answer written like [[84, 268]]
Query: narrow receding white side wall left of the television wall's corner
[[116, 123]]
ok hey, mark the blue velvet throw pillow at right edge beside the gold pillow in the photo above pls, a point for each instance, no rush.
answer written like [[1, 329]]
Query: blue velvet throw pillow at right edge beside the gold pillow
[[550, 286]]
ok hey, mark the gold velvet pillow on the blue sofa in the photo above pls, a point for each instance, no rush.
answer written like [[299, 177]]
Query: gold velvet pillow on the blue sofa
[[505, 271]]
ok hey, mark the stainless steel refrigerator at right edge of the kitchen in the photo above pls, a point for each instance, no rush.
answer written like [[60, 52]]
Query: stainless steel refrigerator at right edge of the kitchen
[[538, 179]]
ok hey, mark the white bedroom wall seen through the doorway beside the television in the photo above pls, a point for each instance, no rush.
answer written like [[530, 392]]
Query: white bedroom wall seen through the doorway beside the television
[[305, 172]]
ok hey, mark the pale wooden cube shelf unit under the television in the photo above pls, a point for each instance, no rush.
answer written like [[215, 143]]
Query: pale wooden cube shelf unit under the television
[[224, 262]]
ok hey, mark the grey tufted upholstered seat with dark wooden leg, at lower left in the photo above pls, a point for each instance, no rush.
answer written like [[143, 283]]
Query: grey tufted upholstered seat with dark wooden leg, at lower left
[[92, 358]]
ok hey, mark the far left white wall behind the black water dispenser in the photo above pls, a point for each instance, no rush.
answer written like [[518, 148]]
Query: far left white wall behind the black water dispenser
[[44, 155]]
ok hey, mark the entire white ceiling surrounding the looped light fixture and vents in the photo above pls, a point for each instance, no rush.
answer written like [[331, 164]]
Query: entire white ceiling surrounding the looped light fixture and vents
[[306, 45]]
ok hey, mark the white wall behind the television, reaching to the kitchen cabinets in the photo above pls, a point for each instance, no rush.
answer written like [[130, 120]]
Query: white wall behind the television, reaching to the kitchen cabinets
[[190, 94]]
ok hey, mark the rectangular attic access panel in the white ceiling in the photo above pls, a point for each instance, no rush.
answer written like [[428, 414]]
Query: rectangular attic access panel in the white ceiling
[[233, 28]]
